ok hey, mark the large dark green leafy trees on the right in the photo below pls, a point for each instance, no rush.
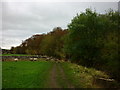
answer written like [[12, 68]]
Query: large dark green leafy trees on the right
[[93, 41]]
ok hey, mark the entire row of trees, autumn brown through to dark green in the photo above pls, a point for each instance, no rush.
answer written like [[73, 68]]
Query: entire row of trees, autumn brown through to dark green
[[91, 40]]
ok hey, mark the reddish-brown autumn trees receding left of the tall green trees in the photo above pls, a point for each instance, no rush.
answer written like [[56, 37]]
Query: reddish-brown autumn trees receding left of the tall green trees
[[50, 44]]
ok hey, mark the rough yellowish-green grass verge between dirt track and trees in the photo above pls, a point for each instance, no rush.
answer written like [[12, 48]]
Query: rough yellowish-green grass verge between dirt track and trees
[[82, 77]]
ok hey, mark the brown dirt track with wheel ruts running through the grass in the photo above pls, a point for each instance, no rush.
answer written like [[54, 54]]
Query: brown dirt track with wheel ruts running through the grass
[[58, 72]]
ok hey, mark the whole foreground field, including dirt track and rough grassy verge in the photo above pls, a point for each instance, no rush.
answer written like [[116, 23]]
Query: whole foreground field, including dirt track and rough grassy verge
[[48, 74]]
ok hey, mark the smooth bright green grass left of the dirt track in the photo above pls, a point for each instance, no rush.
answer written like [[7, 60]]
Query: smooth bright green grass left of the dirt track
[[25, 74]]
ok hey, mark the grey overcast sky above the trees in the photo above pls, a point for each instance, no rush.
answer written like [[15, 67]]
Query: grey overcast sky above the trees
[[21, 20]]
